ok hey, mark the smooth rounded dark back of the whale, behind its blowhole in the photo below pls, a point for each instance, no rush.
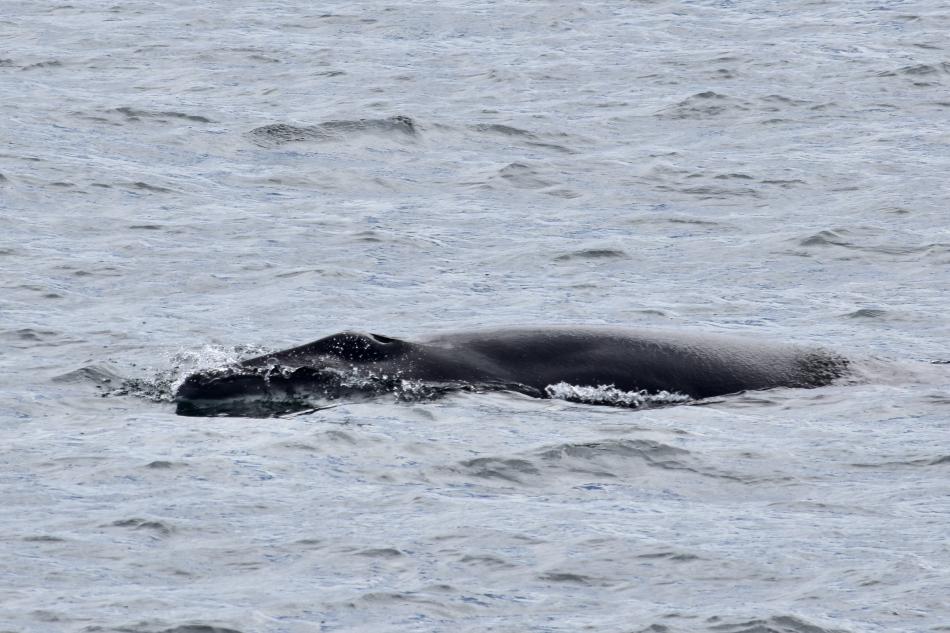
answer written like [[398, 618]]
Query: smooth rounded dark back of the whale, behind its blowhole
[[697, 365]]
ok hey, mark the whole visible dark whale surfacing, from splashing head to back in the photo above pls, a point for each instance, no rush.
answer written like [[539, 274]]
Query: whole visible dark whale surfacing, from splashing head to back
[[530, 361]]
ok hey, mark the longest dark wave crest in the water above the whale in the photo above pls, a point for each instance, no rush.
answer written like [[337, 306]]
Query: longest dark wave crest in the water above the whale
[[278, 134]]
